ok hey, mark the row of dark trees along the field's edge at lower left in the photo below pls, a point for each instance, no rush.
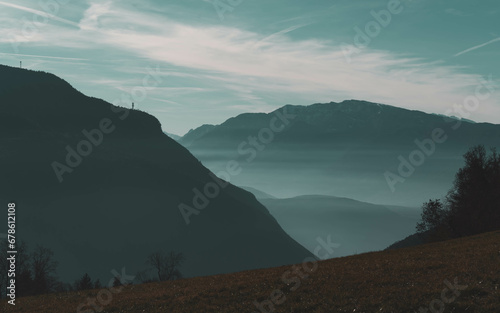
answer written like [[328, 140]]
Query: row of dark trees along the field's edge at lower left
[[36, 271]]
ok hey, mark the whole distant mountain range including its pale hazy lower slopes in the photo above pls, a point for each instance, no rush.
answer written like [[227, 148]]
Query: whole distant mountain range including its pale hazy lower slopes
[[352, 149]]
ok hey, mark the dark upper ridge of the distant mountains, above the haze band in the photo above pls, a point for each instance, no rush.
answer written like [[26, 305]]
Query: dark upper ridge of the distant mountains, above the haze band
[[334, 123]]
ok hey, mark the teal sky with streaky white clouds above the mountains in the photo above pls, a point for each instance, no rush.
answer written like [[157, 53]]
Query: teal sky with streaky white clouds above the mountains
[[194, 62]]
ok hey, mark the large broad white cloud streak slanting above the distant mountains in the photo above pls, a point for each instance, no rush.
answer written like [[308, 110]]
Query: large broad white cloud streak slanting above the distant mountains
[[312, 68]]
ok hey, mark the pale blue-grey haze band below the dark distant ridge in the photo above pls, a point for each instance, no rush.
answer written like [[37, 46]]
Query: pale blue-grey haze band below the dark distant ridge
[[352, 173]]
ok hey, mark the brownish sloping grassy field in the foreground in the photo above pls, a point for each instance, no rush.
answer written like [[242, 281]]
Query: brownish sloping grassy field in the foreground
[[405, 280]]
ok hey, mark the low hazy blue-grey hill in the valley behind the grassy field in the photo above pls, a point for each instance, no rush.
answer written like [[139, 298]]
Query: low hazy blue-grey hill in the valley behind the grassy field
[[355, 226]]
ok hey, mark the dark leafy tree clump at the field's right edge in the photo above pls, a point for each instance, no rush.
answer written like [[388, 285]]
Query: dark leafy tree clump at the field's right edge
[[472, 205]]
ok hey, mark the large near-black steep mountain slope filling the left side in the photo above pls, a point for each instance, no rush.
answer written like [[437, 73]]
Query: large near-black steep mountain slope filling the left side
[[120, 201]]
